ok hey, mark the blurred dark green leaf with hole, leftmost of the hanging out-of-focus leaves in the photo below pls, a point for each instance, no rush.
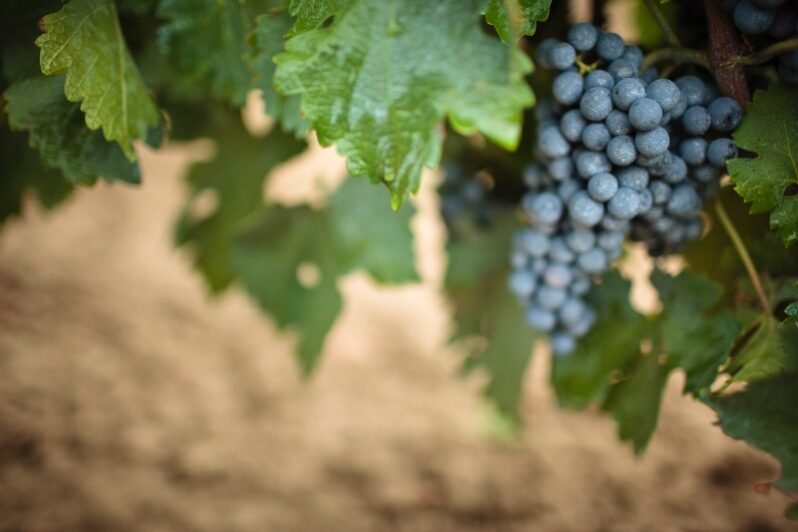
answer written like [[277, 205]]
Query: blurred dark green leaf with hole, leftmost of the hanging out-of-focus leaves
[[234, 178]]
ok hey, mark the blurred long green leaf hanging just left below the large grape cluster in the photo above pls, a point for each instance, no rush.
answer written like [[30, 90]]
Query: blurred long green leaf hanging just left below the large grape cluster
[[486, 315]]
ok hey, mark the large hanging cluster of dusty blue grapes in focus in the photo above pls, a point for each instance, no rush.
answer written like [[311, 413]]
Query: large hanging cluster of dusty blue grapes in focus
[[617, 155]]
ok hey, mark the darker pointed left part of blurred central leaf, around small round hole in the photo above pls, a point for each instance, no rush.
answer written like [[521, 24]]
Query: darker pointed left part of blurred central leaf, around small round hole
[[268, 259]]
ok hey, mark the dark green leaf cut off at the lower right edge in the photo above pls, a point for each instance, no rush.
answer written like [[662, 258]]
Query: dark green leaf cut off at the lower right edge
[[765, 416]]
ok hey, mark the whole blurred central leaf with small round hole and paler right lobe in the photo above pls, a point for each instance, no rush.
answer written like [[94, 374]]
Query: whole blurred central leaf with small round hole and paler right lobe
[[290, 258]]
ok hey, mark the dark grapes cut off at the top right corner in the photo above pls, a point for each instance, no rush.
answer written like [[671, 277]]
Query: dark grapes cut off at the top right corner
[[771, 21]]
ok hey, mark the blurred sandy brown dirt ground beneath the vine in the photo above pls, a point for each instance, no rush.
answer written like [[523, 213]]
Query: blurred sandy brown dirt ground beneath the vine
[[129, 400]]
